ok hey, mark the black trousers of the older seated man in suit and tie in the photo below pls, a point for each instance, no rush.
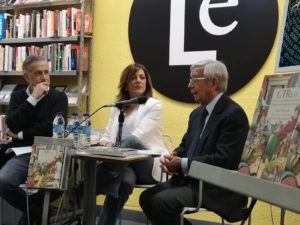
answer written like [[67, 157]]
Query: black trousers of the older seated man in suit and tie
[[164, 202]]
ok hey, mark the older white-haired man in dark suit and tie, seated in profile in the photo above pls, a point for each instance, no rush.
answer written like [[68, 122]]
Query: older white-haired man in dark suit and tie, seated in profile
[[216, 134]]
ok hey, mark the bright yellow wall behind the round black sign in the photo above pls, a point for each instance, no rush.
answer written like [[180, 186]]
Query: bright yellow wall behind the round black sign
[[111, 53]]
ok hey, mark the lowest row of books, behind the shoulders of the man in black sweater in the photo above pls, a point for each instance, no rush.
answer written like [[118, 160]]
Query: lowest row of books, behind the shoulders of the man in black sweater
[[71, 92]]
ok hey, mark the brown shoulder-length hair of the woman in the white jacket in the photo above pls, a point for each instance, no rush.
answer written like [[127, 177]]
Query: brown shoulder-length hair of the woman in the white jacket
[[127, 75]]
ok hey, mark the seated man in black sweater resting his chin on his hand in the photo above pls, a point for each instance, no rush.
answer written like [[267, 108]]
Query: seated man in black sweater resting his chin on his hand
[[31, 112]]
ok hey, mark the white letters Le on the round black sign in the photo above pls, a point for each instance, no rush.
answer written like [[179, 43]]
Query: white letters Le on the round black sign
[[177, 55]]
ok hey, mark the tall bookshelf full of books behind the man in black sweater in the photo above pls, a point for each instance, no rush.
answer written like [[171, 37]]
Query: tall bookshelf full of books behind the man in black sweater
[[70, 37]]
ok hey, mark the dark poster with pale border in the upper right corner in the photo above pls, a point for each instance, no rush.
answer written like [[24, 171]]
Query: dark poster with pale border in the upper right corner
[[288, 54]]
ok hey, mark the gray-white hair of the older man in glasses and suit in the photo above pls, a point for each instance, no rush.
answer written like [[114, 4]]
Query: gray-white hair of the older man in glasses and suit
[[213, 69]]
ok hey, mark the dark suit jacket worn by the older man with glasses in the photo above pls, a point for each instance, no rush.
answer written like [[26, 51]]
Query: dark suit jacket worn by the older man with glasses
[[221, 144]]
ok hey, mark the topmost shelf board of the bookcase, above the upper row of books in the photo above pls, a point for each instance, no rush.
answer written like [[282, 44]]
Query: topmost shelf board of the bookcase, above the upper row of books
[[41, 4]]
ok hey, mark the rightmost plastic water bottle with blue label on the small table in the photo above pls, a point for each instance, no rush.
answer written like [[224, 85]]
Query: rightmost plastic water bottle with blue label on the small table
[[85, 133]]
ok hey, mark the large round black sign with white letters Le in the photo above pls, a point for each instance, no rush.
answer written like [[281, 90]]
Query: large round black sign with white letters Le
[[241, 33]]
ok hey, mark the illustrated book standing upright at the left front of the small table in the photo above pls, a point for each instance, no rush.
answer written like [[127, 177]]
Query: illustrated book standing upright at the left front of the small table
[[49, 163]]
